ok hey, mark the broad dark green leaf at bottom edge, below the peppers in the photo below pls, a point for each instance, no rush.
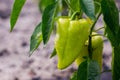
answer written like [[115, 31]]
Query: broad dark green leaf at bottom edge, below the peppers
[[89, 70]]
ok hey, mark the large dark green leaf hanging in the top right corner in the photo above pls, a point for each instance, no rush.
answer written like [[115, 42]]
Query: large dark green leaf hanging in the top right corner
[[111, 15]]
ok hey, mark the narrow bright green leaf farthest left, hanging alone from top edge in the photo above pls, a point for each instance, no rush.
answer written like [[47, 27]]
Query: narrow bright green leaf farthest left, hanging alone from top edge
[[18, 4]]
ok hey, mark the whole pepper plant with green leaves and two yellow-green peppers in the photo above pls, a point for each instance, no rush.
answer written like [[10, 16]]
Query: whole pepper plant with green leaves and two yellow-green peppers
[[76, 38]]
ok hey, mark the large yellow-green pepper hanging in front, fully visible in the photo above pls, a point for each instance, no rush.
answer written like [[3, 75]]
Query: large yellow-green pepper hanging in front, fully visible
[[70, 38]]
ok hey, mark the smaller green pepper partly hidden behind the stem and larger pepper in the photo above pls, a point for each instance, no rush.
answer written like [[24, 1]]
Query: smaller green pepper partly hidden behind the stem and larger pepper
[[97, 46]]
